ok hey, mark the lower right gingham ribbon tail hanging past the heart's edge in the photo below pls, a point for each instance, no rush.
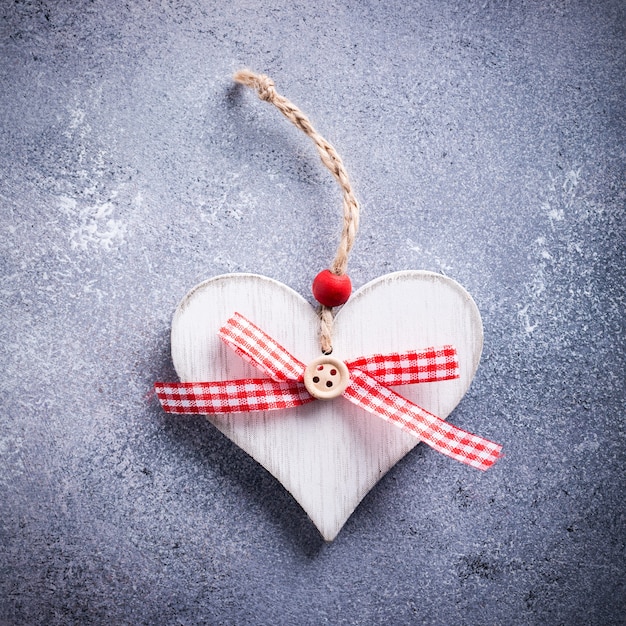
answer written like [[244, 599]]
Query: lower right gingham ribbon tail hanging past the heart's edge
[[369, 394]]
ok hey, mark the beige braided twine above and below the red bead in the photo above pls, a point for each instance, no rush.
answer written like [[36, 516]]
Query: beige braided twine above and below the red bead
[[264, 86]]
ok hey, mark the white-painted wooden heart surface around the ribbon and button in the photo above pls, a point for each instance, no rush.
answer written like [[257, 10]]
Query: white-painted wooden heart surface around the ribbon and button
[[328, 454]]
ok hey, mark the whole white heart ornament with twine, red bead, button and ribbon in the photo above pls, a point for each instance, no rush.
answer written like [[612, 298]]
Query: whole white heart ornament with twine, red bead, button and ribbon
[[313, 395]]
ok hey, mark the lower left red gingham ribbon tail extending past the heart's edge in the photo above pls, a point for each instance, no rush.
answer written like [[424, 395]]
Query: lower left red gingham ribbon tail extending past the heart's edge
[[231, 396]]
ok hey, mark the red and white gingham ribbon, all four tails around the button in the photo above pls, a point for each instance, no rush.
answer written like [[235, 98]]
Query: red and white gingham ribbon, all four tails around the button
[[369, 377]]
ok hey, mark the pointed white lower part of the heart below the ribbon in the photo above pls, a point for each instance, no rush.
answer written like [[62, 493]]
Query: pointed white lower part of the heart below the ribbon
[[329, 494]]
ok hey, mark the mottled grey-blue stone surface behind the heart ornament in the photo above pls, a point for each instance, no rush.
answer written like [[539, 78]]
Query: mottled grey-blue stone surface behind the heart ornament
[[485, 141]]
